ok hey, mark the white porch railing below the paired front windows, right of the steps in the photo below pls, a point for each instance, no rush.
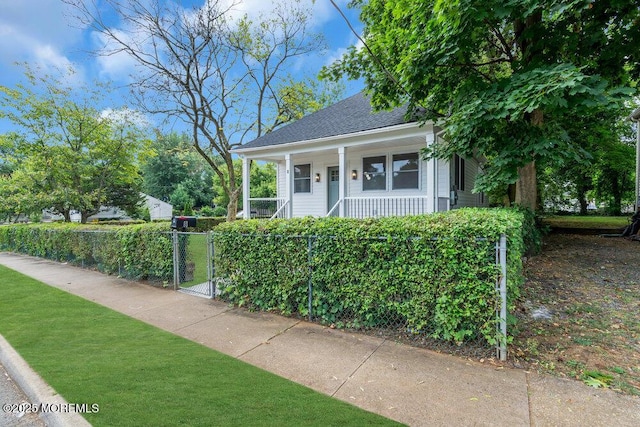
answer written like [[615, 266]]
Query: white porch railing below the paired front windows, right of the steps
[[368, 207]]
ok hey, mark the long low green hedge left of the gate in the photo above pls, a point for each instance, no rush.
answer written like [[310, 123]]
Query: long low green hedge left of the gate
[[139, 251]]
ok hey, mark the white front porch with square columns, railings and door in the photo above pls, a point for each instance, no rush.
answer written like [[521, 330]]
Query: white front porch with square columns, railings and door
[[364, 180]]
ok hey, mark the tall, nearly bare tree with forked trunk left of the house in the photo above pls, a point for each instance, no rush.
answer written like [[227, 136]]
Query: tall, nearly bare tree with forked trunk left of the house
[[227, 82]]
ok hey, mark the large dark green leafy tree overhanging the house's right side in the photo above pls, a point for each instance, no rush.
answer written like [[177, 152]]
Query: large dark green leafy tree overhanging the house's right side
[[503, 77]]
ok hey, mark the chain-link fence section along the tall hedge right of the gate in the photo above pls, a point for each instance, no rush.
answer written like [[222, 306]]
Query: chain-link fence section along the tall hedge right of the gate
[[398, 299]]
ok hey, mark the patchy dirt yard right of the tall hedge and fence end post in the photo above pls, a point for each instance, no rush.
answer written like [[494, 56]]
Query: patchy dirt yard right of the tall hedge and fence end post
[[579, 315]]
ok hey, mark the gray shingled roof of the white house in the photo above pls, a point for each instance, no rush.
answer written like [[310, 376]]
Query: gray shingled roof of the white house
[[347, 116]]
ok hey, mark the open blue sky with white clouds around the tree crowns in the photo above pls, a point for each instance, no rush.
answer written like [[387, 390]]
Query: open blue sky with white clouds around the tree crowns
[[44, 34]]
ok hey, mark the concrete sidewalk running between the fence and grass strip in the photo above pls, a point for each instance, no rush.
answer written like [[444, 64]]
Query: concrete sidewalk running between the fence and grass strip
[[410, 385]]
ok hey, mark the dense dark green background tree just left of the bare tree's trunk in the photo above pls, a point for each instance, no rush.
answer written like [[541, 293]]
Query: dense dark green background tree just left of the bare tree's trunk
[[175, 162]]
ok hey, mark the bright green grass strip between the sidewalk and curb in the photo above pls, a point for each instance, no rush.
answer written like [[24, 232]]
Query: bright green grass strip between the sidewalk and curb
[[141, 375]]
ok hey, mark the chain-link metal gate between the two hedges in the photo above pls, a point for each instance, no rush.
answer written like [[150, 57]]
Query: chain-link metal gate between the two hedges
[[193, 263]]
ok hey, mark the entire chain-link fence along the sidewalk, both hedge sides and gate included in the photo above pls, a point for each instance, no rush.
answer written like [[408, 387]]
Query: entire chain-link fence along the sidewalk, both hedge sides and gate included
[[375, 286]]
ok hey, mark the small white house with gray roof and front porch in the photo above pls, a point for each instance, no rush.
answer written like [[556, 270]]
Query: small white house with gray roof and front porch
[[348, 161]]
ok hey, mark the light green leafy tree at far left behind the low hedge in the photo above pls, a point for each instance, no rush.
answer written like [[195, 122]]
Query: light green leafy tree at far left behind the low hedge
[[68, 155]]
